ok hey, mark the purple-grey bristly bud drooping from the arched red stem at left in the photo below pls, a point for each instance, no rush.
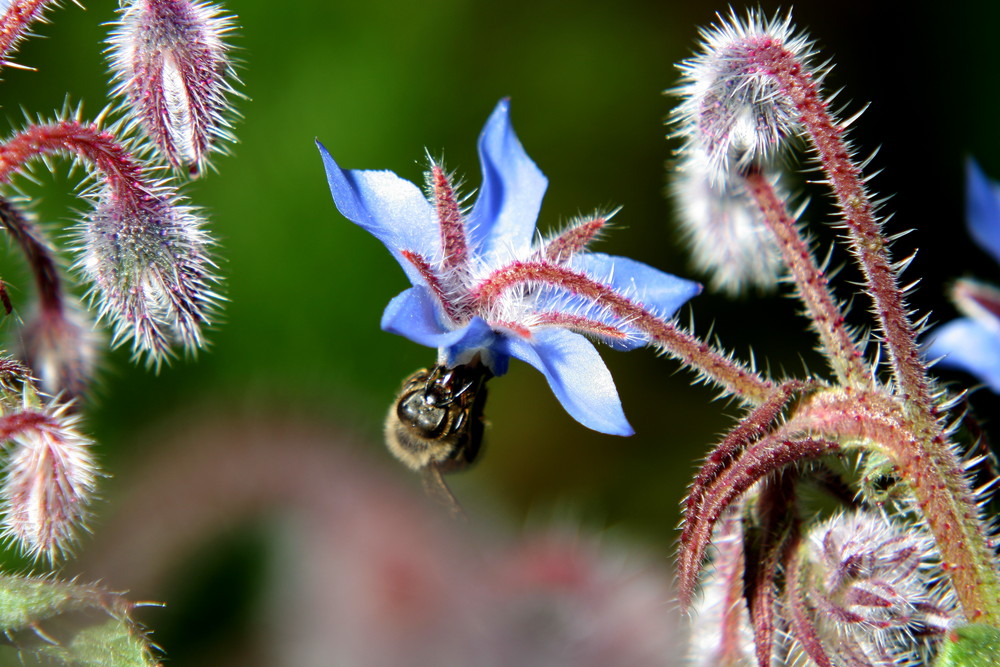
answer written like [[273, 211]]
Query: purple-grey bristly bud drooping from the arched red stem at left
[[147, 257]]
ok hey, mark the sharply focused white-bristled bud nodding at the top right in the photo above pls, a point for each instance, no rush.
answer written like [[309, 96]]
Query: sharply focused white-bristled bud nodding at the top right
[[732, 110]]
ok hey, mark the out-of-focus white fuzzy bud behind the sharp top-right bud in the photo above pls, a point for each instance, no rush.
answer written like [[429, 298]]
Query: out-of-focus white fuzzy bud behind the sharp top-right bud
[[728, 239]]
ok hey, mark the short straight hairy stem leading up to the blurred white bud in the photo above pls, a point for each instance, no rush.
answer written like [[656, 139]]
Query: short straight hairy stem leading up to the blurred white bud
[[827, 318]]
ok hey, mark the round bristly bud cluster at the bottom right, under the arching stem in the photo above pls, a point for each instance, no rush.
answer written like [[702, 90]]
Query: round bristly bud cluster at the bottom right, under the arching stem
[[874, 589]]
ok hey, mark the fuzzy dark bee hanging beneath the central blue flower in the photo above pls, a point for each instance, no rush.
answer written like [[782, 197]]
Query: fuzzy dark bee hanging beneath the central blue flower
[[436, 425]]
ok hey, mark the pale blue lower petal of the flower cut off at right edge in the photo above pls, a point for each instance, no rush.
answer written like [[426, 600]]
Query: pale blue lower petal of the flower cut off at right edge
[[970, 346]]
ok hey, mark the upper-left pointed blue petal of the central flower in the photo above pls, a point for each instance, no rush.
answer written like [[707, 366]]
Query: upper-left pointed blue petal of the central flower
[[392, 209]]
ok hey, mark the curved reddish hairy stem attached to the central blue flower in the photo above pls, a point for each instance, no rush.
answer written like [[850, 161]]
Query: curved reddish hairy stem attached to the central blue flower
[[716, 366]]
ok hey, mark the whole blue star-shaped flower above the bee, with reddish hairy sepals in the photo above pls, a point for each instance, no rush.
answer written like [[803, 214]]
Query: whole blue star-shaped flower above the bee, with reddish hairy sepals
[[486, 287]]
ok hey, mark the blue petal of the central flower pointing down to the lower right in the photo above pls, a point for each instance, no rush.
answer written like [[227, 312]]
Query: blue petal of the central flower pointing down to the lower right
[[578, 377]]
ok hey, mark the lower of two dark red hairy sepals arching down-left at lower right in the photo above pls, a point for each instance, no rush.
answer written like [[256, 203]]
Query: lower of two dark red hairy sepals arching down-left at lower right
[[769, 455]]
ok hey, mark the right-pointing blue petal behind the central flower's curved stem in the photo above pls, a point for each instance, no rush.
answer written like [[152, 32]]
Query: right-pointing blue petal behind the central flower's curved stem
[[660, 292]]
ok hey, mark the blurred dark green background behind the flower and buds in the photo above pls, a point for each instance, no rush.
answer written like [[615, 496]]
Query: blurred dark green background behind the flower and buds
[[383, 81]]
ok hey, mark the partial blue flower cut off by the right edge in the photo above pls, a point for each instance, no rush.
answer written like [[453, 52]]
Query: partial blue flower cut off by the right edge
[[972, 343]]
